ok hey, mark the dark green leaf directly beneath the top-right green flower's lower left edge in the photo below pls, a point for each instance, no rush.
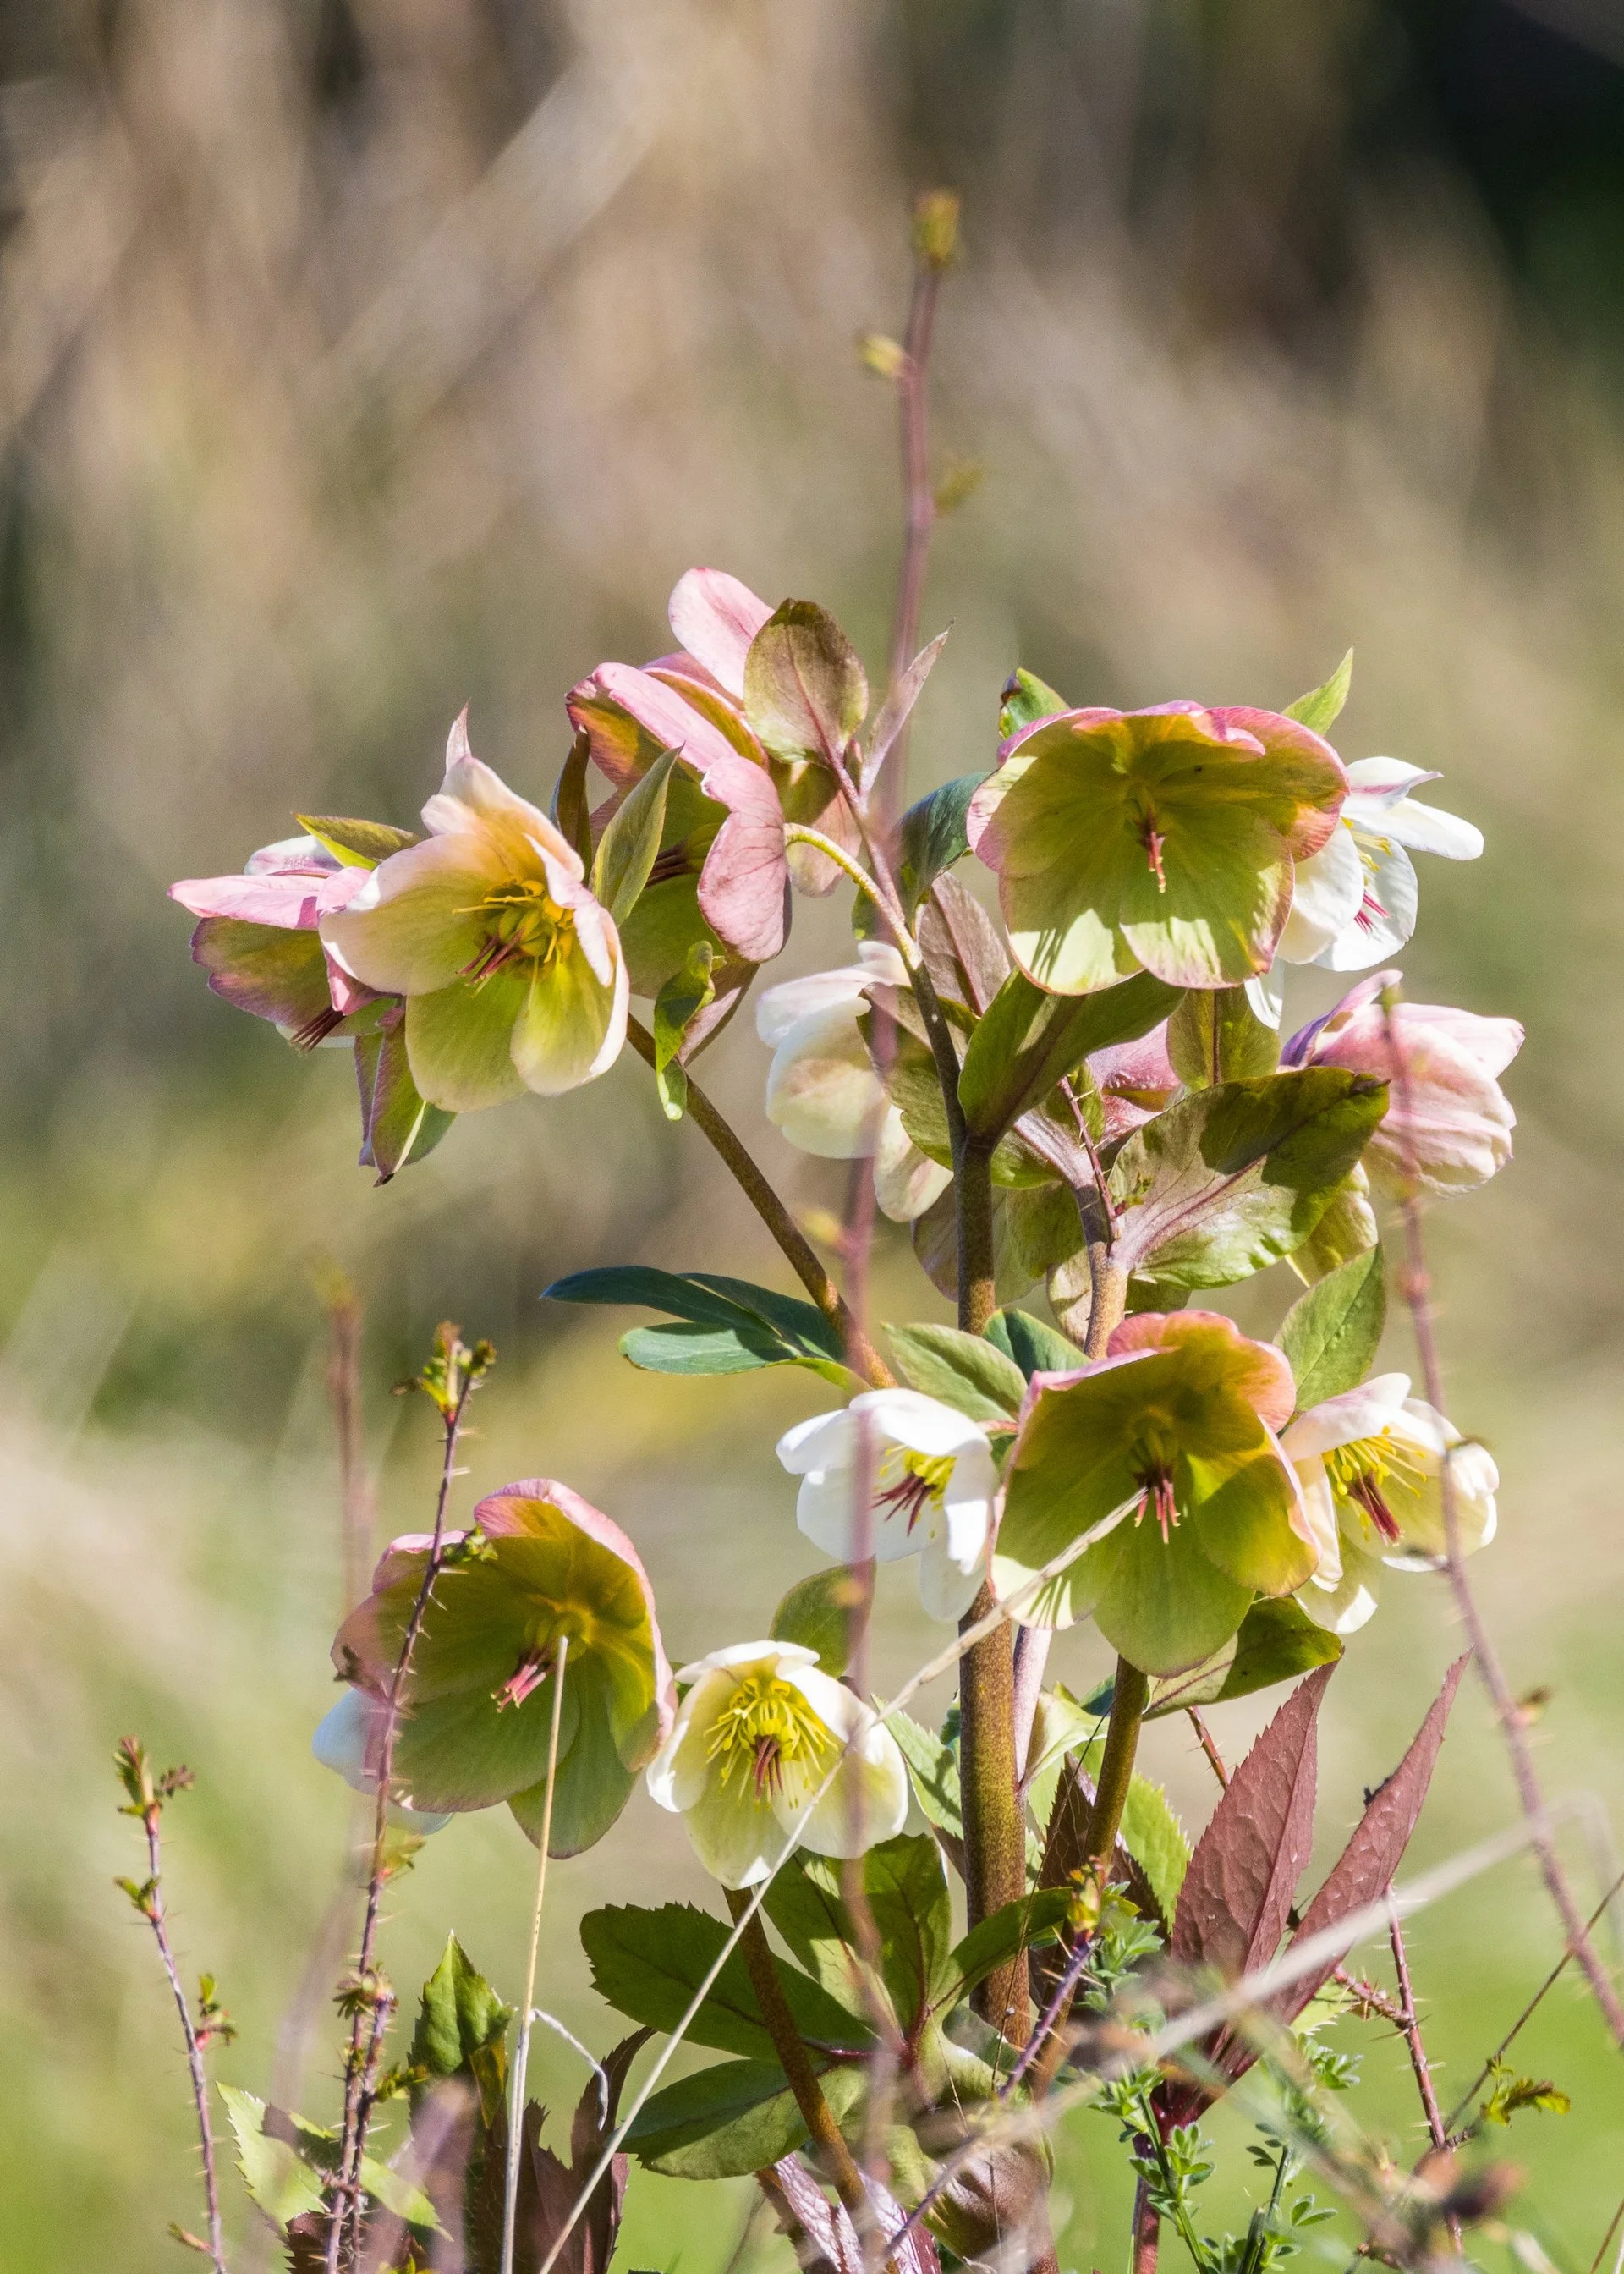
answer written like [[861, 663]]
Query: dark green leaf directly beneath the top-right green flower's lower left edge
[[1029, 1040]]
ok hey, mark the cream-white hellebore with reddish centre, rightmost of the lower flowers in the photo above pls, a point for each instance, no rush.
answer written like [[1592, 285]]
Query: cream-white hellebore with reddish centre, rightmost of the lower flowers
[[1370, 1466]]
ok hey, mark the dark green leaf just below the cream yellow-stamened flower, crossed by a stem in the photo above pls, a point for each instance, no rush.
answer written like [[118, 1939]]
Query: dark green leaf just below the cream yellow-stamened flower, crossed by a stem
[[649, 1964]]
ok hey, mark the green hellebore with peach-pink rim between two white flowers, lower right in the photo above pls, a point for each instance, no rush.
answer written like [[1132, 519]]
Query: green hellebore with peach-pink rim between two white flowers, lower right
[[1168, 1443]]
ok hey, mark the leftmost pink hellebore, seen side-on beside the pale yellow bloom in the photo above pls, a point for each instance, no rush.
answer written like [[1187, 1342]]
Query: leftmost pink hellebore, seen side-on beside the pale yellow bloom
[[258, 938]]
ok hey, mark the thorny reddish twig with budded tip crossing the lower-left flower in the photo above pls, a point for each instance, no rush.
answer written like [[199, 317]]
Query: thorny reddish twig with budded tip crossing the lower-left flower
[[449, 1379]]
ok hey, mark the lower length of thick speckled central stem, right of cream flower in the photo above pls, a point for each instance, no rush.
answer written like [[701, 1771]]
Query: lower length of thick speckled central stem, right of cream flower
[[995, 1839]]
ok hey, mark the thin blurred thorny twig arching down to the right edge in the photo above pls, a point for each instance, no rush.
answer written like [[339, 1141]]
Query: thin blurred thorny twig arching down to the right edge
[[1416, 1286]]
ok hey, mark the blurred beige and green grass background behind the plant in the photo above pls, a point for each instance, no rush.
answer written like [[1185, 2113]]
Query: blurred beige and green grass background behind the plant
[[363, 358]]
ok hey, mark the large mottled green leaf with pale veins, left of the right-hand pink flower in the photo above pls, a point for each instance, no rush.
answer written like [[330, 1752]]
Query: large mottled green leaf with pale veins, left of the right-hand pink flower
[[1234, 1179]]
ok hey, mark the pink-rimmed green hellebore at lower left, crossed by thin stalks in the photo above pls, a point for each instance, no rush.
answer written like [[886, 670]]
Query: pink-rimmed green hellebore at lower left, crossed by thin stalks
[[538, 1566]]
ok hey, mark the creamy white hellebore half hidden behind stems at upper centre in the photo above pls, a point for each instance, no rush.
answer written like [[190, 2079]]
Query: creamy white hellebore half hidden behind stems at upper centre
[[822, 1088]]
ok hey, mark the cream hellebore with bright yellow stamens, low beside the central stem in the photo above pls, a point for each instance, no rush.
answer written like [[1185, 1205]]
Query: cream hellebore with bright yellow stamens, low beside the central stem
[[752, 1745]]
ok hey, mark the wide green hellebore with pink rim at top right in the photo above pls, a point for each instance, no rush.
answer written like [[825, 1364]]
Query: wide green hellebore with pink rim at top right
[[1161, 838]]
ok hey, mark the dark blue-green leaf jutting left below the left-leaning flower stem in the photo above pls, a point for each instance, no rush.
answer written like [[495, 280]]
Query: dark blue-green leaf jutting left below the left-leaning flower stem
[[729, 1327]]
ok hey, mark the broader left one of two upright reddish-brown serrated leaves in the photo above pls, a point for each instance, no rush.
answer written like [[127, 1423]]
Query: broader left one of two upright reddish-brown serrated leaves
[[1241, 1882]]
